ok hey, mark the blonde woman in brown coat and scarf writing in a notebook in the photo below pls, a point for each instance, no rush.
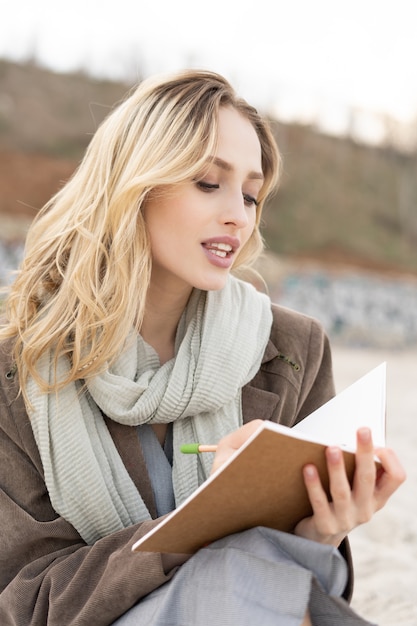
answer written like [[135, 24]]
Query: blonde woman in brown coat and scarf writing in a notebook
[[126, 335]]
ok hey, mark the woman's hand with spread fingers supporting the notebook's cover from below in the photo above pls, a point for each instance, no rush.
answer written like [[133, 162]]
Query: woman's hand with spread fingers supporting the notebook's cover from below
[[350, 506]]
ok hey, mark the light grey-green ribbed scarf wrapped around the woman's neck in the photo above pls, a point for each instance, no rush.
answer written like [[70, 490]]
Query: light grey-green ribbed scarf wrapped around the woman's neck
[[220, 342]]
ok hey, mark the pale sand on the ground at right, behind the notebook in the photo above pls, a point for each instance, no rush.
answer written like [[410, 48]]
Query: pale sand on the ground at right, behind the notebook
[[385, 550]]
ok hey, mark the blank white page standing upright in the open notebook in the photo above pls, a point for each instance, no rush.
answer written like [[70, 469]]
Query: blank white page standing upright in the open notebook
[[361, 404]]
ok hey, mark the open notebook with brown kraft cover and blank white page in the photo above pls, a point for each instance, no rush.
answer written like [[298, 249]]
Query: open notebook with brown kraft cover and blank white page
[[262, 483]]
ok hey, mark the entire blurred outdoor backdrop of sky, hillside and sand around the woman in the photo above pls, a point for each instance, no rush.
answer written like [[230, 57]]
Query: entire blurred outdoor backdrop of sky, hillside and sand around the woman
[[338, 81]]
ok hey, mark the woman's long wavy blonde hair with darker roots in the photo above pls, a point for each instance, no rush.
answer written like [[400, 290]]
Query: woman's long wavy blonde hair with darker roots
[[83, 282]]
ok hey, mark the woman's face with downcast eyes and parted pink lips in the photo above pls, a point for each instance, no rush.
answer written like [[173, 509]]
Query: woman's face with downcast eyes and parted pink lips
[[197, 228]]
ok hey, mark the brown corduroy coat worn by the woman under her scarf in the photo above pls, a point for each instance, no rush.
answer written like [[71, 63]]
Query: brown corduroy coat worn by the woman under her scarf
[[48, 575]]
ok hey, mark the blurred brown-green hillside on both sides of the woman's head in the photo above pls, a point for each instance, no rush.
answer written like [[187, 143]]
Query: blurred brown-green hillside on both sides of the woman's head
[[339, 202]]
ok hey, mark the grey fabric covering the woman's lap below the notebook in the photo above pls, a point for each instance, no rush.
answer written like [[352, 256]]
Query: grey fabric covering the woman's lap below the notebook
[[259, 576]]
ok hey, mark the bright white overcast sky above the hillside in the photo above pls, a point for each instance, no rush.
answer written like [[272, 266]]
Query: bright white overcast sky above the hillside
[[312, 61]]
